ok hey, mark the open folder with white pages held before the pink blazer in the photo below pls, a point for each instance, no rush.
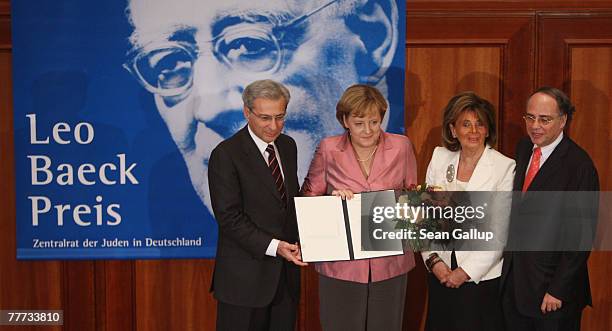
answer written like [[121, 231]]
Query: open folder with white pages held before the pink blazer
[[330, 229]]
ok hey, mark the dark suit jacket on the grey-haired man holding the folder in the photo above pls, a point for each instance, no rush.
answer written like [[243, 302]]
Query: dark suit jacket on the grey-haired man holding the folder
[[250, 212]]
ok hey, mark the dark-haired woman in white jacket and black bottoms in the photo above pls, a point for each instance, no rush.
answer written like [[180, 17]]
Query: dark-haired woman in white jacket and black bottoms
[[463, 285]]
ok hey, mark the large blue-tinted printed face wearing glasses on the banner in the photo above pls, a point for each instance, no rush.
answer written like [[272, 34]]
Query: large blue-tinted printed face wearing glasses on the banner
[[196, 57]]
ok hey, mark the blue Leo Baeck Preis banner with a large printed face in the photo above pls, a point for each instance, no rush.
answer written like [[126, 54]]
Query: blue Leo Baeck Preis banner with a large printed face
[[96, 147]]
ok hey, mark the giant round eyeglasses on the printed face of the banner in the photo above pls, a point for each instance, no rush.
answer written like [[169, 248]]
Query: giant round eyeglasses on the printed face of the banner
[[137, 54]]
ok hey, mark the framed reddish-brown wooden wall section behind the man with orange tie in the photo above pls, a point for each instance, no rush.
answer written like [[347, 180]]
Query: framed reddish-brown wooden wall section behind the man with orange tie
[[575, 55]]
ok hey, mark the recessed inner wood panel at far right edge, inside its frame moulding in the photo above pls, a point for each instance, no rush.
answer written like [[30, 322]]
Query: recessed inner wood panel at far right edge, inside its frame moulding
[[590, 74]]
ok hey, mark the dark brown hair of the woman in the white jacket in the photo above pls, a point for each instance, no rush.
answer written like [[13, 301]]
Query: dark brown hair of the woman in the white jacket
[[462, 102]]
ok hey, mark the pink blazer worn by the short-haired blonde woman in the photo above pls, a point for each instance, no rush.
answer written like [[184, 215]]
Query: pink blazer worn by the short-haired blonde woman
[[335, 166]]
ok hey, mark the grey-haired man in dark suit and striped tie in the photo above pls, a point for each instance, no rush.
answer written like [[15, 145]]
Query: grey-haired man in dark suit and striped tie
[[253, 179]]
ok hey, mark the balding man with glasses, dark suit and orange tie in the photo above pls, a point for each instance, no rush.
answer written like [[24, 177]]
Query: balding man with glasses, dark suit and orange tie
[[545, 288]]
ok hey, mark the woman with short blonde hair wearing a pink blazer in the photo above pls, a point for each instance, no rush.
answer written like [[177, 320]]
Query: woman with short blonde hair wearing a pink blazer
[[362, 294]]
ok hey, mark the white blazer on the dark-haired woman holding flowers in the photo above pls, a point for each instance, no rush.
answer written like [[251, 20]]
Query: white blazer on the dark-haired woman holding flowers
[[494, 172]]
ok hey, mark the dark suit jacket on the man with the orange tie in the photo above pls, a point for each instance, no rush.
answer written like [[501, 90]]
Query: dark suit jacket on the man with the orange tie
[[563, 274]]
